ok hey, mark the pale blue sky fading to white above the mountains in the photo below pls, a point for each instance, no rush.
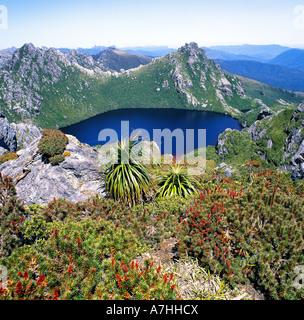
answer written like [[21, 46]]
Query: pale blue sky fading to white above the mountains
[[172, 23]]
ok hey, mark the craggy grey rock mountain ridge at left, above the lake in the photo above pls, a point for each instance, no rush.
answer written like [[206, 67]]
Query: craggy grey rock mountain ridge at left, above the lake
[[29, 70]]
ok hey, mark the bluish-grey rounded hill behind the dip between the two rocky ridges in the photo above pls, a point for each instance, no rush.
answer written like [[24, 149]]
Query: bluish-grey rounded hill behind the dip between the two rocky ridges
[[115, 59]]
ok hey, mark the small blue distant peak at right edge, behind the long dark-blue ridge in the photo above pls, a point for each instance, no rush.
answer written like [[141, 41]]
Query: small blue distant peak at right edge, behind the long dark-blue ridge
[[293, 58]]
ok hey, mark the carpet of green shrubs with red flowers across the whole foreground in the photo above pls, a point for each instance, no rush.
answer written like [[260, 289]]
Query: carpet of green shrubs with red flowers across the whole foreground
[[248, 231]]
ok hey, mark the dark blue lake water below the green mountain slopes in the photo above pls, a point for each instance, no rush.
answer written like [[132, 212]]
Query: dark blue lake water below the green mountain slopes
[[87, 131]]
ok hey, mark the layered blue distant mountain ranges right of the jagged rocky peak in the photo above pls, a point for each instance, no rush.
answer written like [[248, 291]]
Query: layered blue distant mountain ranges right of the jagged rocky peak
[[275, 65]]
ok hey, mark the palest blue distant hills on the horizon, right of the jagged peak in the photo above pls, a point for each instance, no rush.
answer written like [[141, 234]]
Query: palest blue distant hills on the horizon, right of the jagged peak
[[262, 53]]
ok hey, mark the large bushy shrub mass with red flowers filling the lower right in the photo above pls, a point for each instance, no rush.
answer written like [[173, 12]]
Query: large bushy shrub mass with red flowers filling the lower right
[[254, 235]]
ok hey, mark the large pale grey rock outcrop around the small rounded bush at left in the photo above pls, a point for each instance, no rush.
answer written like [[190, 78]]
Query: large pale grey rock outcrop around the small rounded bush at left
[[77, 178]]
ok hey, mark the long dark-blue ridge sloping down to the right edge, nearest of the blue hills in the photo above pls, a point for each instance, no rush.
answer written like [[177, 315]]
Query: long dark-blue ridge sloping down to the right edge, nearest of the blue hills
[[271, 74]]
